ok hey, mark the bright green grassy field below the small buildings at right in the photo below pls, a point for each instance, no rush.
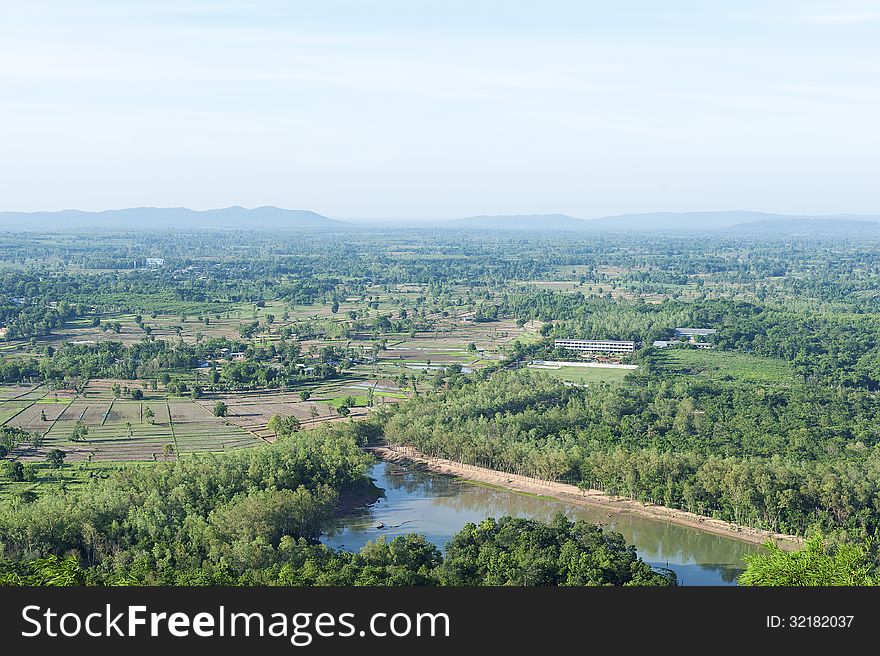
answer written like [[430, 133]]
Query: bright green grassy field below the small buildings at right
[[713, 363]]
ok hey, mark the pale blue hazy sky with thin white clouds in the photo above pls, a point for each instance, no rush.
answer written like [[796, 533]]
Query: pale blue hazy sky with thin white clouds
[[418, 109]]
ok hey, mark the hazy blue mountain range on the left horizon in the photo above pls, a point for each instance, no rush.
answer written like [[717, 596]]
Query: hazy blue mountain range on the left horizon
[[167, 217]]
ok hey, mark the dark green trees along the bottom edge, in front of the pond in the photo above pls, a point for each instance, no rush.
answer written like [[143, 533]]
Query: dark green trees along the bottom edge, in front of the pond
[[508, 551]]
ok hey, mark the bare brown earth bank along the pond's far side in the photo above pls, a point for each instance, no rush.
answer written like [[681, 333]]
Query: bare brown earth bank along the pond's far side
[[573, 494]]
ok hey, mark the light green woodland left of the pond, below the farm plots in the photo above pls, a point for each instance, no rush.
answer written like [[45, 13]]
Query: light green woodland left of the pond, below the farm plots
[[213, 513]]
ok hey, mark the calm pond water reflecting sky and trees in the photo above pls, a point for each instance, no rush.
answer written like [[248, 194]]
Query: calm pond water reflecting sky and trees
[[438, 506]]
